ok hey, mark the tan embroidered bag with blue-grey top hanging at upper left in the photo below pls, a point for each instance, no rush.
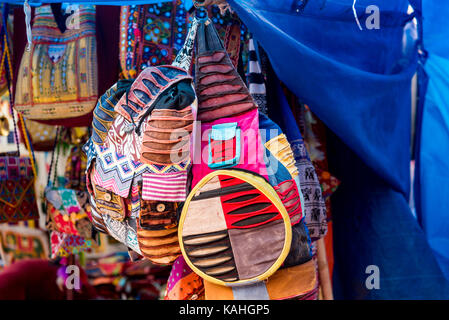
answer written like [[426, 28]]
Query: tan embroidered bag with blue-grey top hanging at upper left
[[57, 78]]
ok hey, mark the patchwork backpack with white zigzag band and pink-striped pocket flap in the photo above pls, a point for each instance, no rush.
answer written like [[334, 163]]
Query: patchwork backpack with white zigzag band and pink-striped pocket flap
[[139, 157]]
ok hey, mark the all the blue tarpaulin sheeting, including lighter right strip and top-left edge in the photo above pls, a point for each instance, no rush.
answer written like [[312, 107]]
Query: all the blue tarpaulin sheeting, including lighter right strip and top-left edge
[[357, 80]]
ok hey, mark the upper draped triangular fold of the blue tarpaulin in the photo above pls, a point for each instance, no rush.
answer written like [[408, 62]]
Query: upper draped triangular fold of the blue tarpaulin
[[357, 82]]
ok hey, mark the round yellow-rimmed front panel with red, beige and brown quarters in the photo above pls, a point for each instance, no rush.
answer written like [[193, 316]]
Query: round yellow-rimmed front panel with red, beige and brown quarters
[[234, 229]]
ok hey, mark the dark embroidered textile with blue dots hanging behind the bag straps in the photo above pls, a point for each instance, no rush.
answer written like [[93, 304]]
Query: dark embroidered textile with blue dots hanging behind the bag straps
[[153, 34]]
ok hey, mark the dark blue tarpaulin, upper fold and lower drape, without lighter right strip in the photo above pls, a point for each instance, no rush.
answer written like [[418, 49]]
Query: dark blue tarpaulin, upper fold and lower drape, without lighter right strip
[[358, 82]]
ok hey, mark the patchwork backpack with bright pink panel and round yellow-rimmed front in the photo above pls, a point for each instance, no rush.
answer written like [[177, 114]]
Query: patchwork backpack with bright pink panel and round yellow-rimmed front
[[237, 200]]
